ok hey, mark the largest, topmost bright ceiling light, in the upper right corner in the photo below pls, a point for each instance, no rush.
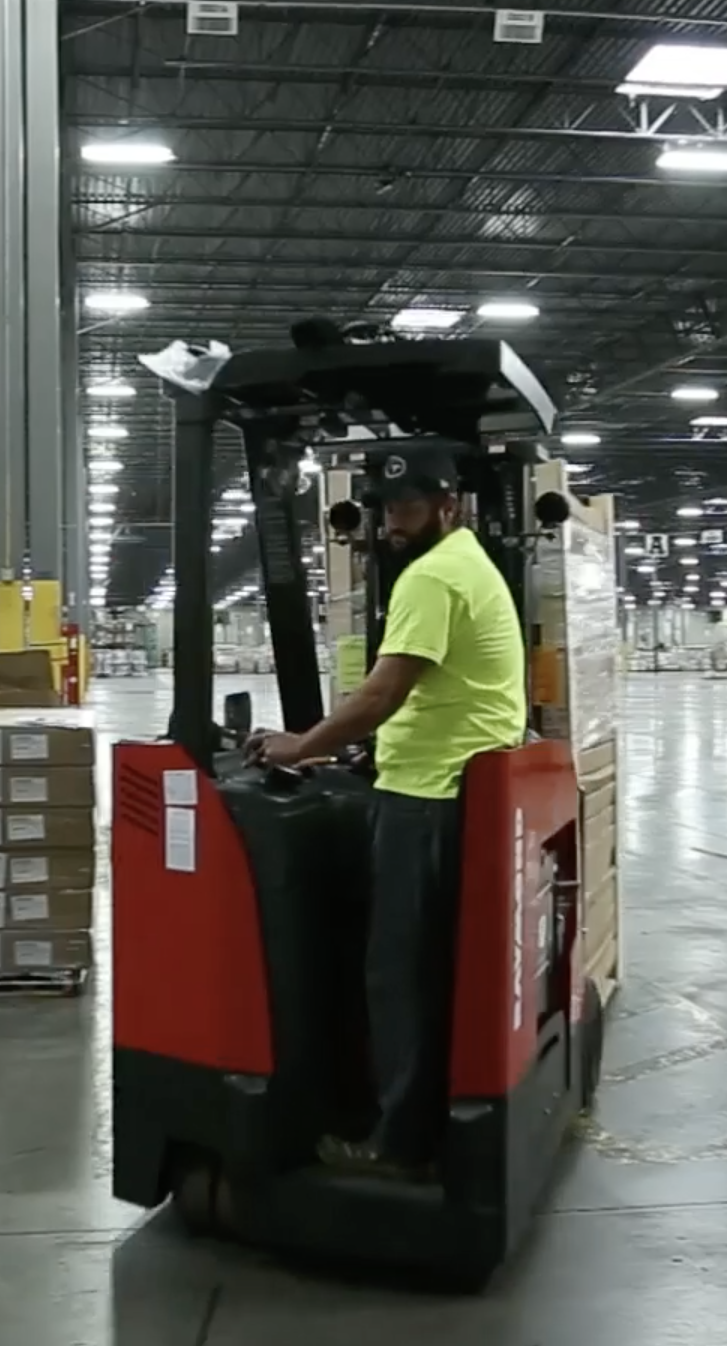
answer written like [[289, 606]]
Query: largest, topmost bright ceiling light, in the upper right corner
[[679, 71]]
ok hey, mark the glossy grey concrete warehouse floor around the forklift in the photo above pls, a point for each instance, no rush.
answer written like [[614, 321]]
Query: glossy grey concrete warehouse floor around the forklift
[[632, 1246]]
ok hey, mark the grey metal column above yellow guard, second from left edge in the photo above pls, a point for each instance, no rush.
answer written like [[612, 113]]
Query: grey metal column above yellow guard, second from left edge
[[44, 290]]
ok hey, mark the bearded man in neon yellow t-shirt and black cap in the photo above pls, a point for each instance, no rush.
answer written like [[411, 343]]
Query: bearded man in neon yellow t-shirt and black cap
[[449, 683]]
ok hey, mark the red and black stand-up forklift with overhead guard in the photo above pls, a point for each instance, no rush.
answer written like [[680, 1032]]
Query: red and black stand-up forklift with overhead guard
[[240, 894]]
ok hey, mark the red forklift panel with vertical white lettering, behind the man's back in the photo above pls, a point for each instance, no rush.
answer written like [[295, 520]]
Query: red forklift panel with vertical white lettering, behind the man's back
[[515, 804]]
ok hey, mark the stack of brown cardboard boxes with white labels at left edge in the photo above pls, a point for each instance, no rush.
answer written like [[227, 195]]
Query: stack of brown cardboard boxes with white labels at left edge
[[46, 849]]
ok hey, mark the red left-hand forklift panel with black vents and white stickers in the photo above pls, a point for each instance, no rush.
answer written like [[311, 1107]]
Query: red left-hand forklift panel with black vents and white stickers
[[189, 972]]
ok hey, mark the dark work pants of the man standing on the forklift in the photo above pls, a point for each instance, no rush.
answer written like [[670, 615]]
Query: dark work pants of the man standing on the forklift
[[410, 970]]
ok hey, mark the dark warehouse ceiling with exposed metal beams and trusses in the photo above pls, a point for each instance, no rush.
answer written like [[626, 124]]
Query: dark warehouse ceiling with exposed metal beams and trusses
[[361, 160]]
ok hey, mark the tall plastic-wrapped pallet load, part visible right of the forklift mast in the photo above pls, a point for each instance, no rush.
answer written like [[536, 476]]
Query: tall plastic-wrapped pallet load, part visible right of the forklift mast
[[577, 676]]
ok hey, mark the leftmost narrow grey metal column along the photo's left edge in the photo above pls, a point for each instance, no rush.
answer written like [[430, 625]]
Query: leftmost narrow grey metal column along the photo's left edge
[[13, 299]]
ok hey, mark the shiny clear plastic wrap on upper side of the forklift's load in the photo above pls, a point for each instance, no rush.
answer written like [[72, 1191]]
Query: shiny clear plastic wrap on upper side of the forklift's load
[[593, 644]]
